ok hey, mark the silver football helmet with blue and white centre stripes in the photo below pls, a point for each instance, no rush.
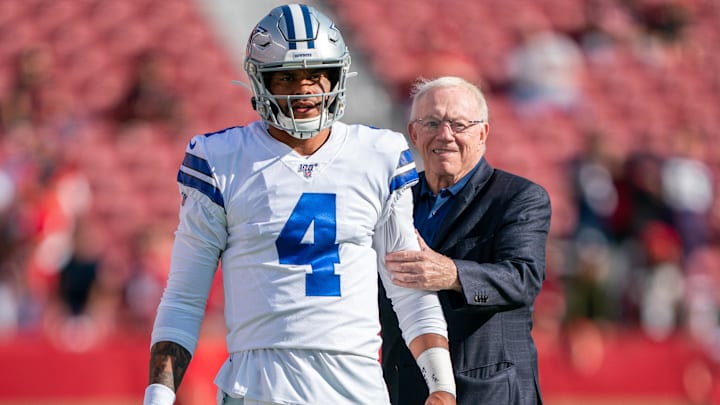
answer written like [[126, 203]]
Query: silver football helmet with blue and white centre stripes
[[297, 36]]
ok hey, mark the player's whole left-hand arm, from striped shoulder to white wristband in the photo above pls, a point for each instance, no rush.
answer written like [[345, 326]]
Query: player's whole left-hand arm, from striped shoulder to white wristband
[[199, 239]]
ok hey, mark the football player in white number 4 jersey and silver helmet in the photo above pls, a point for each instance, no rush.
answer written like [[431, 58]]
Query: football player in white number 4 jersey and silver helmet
[[299, 209]]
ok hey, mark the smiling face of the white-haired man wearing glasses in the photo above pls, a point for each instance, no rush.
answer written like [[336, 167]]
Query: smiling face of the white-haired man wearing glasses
[[448, 154]]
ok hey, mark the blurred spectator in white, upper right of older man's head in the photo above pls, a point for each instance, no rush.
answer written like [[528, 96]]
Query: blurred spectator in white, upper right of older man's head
[[545, 69]]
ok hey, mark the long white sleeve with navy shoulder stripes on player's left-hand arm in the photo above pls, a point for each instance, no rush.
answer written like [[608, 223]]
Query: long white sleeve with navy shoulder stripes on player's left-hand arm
[[199, 240]]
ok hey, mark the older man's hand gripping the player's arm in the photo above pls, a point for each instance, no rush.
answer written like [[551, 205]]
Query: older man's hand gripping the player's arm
[[425, 269]]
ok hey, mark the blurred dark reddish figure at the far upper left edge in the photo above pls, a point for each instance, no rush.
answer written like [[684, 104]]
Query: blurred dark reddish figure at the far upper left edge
[[27, 101]]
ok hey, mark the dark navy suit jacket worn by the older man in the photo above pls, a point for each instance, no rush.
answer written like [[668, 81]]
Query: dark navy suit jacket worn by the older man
[[496, 233]]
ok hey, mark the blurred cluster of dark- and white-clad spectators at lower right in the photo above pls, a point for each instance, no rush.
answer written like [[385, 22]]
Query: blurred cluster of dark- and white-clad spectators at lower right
[[645, 249]]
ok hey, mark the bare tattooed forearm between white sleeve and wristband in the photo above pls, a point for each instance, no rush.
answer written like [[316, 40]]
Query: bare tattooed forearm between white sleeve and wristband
[[168, 363]]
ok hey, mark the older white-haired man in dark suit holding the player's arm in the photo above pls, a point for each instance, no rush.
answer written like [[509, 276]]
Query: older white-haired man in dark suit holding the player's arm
[[483, 234]]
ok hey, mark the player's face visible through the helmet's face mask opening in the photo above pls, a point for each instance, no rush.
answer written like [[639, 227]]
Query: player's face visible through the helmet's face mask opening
[[300, 82]]
